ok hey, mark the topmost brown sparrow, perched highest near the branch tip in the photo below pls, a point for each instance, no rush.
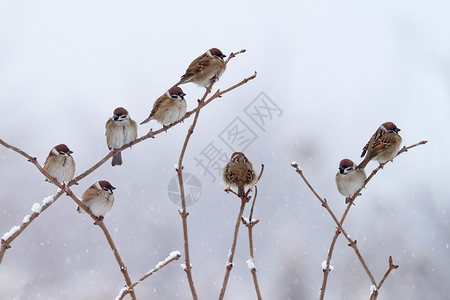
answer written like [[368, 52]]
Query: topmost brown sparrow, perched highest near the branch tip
[[204, 68]]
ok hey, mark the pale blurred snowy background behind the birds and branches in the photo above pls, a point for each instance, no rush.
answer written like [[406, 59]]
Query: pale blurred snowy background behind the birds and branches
[[337, 70]]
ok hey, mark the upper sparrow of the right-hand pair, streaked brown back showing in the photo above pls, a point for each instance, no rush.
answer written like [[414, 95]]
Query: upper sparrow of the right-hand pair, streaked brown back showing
[[383, 145]]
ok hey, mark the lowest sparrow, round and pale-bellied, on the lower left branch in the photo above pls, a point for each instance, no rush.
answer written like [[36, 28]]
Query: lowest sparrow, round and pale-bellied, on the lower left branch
[[99, 198]]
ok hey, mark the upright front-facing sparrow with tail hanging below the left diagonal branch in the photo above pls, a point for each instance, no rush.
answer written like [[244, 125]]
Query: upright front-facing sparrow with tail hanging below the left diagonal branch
[[120, 131]]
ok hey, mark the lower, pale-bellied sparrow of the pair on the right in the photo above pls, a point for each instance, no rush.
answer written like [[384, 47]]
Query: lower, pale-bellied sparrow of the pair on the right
[[349, 179]]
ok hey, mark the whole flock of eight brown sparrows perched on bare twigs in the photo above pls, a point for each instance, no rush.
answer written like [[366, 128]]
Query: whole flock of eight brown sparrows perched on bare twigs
[[238, 172]]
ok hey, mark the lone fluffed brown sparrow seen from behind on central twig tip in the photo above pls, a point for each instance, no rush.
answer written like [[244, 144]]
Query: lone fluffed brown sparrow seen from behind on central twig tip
[[239, 172]]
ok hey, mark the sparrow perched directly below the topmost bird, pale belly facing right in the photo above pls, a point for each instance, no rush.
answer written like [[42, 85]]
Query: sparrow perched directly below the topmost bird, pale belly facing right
[[169, 108]]
